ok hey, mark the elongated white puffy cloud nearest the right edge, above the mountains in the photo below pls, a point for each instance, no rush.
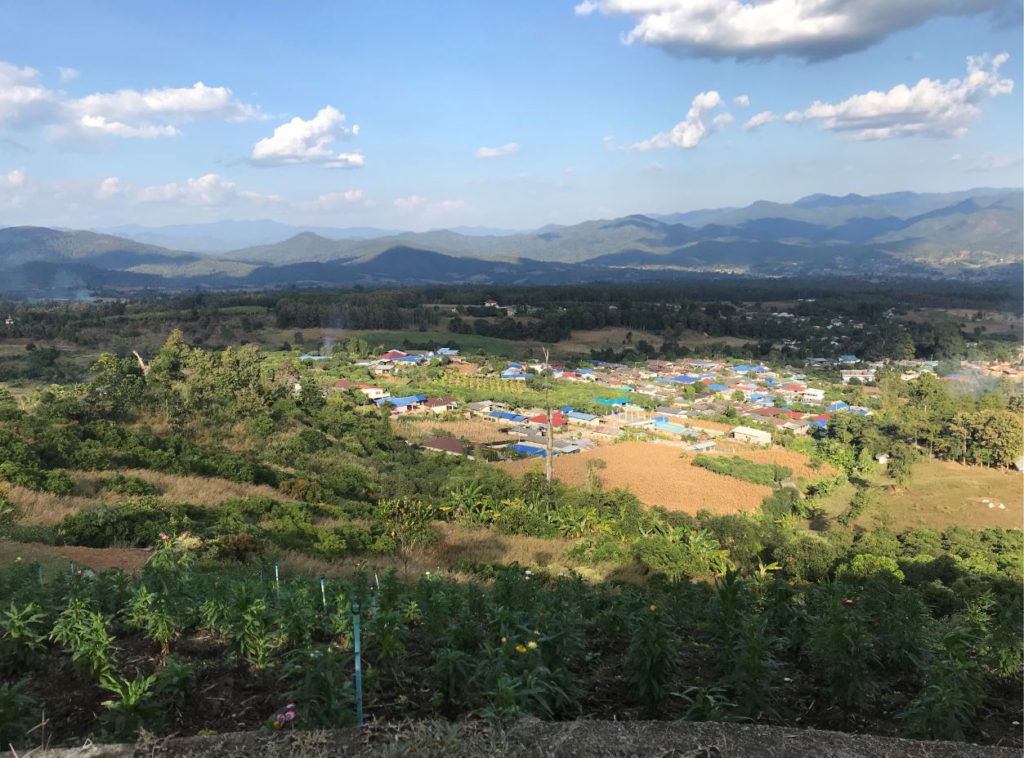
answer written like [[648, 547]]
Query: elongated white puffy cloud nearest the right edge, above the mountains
[[930, 108]]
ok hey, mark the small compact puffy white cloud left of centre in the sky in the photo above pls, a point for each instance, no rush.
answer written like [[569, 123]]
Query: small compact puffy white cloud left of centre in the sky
[[310, 142]]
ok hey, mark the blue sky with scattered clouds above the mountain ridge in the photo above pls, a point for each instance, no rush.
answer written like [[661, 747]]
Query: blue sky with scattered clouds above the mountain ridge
[[510, 115]]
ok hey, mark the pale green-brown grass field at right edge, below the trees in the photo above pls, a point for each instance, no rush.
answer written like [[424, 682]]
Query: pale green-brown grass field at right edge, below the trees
[[942, 494]]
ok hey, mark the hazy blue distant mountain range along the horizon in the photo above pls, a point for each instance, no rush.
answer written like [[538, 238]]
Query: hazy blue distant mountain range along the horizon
[[972, 234]]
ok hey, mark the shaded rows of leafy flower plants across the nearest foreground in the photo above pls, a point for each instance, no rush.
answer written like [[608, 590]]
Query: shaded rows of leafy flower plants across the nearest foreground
[[918, 645]]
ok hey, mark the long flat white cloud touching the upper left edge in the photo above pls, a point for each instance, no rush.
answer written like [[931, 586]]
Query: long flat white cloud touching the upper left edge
[[126, 113]]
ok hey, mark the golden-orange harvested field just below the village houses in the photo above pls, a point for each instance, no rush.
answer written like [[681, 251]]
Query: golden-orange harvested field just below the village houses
[[658, 476]]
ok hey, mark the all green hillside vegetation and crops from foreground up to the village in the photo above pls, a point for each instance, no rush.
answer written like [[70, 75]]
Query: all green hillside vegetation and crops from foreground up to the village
[[748, 617]]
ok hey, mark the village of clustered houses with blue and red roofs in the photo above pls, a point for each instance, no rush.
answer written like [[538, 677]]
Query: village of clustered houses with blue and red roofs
[[701, 406]]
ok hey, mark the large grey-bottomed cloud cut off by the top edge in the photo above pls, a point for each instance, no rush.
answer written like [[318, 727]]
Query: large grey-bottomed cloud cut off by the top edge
[[814, 30]]
